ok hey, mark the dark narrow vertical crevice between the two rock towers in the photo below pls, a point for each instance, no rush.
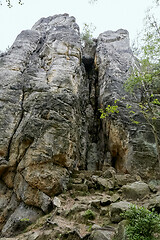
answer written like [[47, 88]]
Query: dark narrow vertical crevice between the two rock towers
[[94, 147]]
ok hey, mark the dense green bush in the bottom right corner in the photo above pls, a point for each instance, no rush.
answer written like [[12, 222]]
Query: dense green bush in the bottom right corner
[[142, 223]]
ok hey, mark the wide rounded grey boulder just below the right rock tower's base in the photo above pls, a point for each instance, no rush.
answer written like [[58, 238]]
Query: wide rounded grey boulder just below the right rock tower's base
[[135, 191]]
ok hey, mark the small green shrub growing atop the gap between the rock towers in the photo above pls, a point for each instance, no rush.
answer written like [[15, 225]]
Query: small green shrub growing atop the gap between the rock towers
[[87, 34]]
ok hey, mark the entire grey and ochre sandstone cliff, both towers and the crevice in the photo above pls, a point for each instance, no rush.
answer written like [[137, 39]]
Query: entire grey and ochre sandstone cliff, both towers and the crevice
[[51, 90]]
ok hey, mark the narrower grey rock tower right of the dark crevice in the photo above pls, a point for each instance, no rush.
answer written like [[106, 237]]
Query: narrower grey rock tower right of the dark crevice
[[132, 147]]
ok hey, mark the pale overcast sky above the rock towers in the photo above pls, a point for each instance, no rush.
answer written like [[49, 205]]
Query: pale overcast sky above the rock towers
[[105, 15]]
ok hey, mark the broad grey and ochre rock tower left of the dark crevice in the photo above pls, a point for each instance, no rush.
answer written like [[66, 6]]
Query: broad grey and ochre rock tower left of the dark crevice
[[41, 109]]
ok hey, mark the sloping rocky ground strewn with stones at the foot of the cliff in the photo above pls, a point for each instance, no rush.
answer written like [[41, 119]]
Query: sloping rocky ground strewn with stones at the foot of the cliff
[[90, 207]]
